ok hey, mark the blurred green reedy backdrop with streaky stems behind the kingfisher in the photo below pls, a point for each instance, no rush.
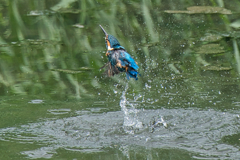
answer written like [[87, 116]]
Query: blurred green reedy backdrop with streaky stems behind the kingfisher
[[40, 36]]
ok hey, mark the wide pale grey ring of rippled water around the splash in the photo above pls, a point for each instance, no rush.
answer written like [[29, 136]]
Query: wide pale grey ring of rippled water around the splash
[[201, 133]]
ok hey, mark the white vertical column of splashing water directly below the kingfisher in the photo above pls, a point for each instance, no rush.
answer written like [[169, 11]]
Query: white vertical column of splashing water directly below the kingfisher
[[130, 113]]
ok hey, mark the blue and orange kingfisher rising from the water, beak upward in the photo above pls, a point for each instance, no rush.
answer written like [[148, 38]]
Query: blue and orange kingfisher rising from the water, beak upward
[[118, 58]]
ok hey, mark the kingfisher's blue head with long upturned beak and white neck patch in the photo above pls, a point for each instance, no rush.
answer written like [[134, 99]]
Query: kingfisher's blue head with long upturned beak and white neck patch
[[111, 42]]
